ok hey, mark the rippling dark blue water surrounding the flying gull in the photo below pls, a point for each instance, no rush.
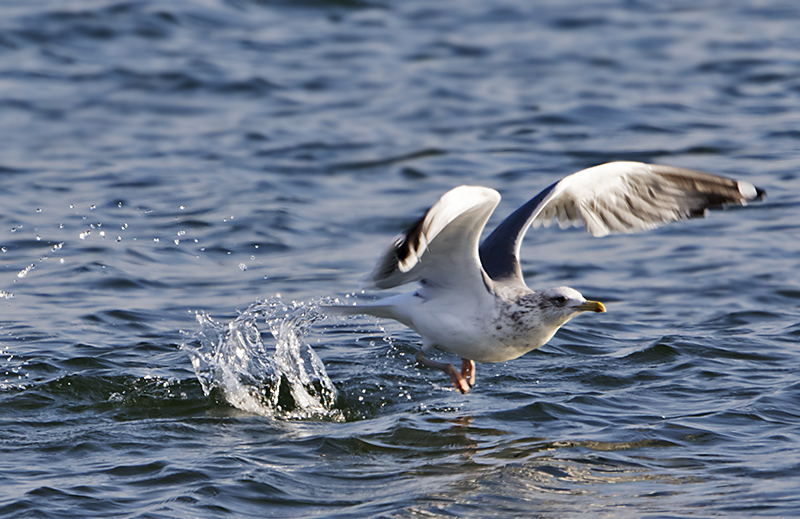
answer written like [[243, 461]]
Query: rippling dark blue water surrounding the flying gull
[[167, 166]]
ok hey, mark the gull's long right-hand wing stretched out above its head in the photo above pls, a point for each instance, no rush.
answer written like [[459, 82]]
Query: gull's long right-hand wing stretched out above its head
[[612, 198]]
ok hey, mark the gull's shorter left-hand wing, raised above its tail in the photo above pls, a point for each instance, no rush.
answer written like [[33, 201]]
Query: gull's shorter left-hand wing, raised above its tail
[[442, 247]]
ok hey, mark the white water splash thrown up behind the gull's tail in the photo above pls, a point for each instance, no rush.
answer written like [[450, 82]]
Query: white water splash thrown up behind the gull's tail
[[289, 382]]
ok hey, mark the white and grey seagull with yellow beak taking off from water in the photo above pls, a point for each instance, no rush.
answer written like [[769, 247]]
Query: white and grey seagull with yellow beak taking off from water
[[472, 301]]
